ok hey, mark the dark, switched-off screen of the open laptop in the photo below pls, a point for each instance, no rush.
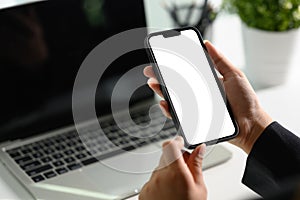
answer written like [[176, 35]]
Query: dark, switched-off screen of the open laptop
[[42, 47]]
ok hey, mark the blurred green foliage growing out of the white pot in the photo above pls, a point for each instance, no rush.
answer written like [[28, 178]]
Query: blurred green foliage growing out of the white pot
[[270, 15]]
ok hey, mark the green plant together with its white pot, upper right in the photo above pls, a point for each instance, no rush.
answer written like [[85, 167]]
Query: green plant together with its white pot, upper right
[[270, 31]]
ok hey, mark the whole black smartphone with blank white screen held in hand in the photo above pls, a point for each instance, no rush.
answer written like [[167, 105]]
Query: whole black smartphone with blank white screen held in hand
[[191, 86]]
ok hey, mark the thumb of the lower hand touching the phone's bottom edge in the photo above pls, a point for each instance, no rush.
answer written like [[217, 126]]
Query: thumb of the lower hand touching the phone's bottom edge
[[195, 163]]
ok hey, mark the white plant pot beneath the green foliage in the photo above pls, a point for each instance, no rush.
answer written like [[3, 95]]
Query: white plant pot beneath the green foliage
[[268, 55]]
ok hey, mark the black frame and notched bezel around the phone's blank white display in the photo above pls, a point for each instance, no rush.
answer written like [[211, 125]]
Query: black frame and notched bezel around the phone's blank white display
[[174, 33]]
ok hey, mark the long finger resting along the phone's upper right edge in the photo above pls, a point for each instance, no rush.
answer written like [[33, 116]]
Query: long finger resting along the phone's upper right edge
[[223, 65]]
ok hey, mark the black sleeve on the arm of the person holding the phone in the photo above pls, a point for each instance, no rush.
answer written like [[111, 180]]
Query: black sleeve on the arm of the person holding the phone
[[273, 161]]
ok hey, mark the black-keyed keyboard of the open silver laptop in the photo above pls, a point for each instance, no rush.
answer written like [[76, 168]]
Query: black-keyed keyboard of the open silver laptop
[[68, 151]]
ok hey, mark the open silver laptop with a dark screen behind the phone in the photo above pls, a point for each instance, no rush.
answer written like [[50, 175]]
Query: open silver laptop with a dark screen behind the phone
[[43, 45]]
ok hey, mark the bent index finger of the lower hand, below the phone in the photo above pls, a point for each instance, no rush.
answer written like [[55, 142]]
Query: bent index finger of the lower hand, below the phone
[[172, 153]]
